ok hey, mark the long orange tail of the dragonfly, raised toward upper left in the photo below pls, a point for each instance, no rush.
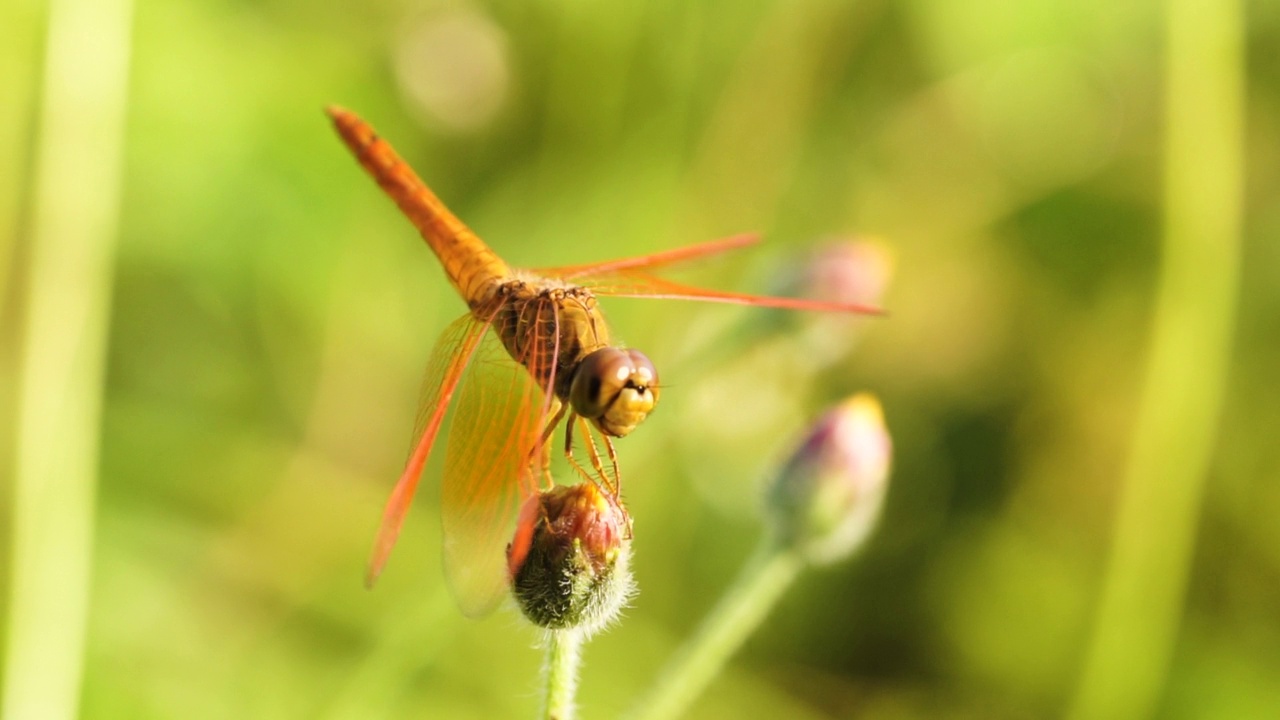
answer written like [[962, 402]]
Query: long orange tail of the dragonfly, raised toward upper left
[[472, 266]]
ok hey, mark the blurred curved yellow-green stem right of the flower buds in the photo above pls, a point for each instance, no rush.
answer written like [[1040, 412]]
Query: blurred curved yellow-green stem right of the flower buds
[[1186, 376]]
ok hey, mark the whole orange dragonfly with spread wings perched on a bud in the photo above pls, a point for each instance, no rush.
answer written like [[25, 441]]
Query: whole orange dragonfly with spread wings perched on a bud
[[532, 353]]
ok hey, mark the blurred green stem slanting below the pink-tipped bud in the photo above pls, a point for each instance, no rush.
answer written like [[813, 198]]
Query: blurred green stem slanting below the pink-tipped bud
[[738, 616]]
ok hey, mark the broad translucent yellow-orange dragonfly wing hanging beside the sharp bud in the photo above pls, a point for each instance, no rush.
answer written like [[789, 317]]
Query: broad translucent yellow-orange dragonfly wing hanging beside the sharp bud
[[491, 467]]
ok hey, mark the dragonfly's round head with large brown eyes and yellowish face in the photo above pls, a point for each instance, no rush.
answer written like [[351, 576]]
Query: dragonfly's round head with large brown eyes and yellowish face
[[615, 389]]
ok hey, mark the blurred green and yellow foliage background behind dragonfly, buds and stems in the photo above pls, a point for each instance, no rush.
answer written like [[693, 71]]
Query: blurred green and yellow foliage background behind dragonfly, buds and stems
[[273, 312]]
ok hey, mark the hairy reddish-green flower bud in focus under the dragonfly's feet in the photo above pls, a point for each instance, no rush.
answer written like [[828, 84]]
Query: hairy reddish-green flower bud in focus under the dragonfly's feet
[[570, 560]]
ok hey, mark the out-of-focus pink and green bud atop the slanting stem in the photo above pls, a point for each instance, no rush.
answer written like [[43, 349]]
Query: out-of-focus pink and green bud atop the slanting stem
[[828, 499]]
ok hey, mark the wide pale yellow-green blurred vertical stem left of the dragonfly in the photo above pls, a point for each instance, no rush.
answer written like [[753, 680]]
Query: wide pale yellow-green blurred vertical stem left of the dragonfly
[[63, 357]]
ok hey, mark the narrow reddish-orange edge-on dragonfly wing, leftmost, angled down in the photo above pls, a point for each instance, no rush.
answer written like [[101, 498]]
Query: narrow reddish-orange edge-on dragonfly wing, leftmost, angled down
[[450, 359]]
